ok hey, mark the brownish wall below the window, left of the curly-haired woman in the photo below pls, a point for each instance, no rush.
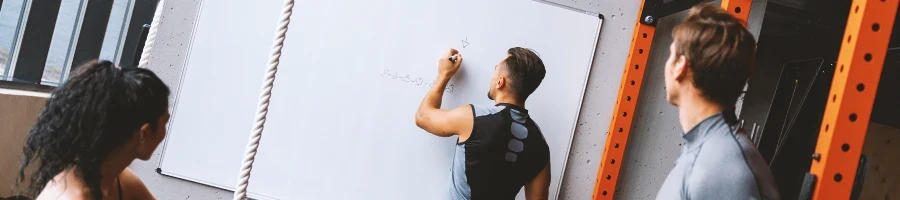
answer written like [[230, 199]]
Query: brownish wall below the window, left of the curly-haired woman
[[18, 111]]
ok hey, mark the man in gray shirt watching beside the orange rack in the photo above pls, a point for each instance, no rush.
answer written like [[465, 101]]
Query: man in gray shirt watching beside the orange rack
[[709, 63]]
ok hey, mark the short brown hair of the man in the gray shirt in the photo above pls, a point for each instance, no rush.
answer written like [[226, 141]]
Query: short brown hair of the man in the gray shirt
[[719, 51]]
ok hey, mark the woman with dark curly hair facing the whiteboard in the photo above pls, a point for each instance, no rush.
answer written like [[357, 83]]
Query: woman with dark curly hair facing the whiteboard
[[91, 129]]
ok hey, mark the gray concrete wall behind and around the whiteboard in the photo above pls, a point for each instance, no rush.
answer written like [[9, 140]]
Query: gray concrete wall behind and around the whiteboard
[[651, 151]]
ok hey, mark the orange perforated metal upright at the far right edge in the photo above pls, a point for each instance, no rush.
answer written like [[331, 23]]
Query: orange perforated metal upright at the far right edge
[[853, 89]]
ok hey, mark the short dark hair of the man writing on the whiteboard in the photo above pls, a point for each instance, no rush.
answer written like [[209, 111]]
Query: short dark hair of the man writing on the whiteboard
[[526, 71]]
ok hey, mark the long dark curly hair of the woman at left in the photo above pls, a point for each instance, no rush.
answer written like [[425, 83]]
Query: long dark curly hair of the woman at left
[[86, 118]]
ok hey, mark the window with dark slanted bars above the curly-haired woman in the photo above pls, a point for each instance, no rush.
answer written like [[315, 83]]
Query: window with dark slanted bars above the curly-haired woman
[[82, 30]]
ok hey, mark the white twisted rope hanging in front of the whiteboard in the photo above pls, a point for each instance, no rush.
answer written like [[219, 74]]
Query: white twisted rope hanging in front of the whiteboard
[[240, 191]]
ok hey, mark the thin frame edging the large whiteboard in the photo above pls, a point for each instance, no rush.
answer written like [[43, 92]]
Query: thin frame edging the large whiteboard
[[252, 195]]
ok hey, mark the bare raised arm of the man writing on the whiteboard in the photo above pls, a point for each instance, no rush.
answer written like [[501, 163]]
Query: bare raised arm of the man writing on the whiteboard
[[443, 122]]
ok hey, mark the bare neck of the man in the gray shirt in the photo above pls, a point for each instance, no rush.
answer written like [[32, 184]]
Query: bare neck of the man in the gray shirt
[[693, 109]]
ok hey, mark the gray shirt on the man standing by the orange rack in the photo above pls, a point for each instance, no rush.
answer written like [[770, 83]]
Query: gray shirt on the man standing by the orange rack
[[718, 163]]
